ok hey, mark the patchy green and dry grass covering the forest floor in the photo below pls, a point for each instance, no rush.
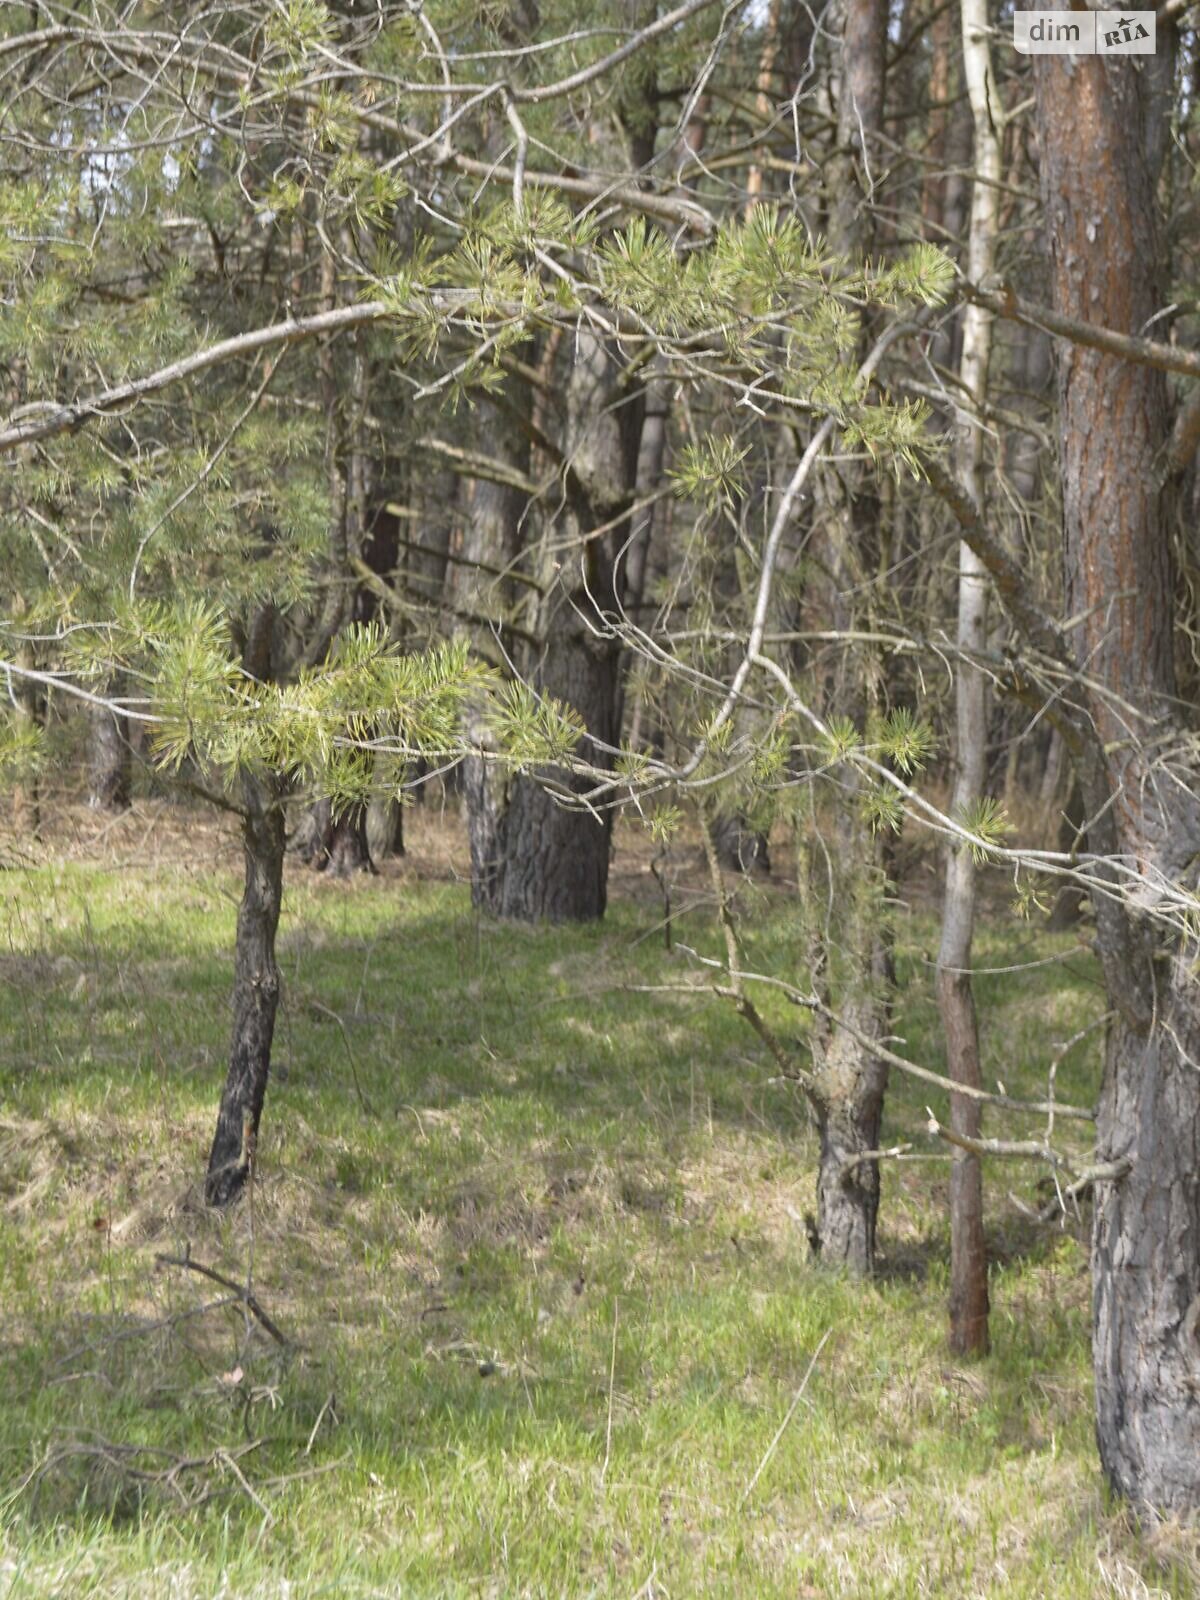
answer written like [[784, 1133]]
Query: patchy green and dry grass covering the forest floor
[[537, 1244]]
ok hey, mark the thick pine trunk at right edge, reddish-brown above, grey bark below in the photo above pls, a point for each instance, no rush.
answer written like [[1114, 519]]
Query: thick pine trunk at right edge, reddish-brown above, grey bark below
[[1100, 138]]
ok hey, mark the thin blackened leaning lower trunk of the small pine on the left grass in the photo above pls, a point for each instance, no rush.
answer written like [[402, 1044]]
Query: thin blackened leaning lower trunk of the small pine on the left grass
[[257, 988]]
